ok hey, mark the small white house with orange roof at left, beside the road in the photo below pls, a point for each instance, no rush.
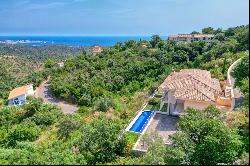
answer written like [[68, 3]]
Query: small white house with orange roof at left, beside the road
[[18, 95]]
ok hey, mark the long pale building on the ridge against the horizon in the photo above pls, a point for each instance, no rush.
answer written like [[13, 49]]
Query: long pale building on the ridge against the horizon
[[188, 38]]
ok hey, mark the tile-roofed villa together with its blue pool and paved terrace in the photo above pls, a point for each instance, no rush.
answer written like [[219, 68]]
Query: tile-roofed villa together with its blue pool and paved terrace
[[188, 88]]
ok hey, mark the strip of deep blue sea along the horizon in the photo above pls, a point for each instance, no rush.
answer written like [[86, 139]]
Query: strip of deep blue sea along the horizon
[[70, 40]]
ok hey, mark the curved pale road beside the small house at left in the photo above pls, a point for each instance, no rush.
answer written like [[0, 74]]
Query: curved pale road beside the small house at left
[[43, 92]]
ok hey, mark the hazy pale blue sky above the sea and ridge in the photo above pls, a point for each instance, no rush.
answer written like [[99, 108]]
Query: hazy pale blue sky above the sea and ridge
[[118, 17]]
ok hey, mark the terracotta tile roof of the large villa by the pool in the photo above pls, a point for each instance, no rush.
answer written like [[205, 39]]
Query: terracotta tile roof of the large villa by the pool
[[192, 84]]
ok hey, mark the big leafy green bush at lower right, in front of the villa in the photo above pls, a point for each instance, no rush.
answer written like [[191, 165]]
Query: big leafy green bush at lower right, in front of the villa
[[198, 131]]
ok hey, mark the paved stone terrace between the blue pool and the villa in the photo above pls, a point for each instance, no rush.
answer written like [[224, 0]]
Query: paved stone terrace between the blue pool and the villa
[[165, 125]]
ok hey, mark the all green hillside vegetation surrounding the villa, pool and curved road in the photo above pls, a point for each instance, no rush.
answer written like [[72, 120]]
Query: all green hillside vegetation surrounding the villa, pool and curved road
[[109, 88]]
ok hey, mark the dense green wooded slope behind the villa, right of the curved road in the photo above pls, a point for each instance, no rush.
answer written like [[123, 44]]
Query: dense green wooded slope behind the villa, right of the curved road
[[126, 68]]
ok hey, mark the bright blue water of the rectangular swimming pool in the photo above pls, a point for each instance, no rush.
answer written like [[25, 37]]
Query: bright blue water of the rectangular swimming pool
[[141, 122]]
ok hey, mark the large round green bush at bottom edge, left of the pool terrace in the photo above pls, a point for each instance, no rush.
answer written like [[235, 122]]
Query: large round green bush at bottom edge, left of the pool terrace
[[100, 141]]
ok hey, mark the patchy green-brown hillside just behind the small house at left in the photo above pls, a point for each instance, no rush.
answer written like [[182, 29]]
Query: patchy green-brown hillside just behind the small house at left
[[17, 71]]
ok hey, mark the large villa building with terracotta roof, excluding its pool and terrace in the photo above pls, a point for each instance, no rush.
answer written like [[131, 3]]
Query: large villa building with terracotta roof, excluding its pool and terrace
[[193, 88]]
